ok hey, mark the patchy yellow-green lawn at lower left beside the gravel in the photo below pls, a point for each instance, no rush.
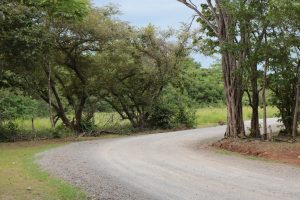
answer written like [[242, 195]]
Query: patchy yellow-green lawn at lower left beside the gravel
[[19, 172]]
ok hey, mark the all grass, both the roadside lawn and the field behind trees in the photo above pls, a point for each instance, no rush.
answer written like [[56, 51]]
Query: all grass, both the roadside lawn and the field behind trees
[[19, 172]]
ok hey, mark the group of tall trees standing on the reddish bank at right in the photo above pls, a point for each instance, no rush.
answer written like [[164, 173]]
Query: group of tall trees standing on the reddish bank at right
[[259, 46]]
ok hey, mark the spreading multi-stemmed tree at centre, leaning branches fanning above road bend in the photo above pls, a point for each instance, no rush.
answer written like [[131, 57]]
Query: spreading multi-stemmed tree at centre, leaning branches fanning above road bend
[[137, 70]]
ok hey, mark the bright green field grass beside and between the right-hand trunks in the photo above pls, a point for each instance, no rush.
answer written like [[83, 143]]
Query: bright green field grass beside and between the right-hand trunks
[[211, 116]]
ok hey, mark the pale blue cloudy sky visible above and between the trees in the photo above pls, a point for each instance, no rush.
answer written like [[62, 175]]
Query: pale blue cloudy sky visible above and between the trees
[[161, 13]]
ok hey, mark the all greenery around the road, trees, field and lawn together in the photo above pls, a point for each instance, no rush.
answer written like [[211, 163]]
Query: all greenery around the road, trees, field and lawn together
[[69, 69]]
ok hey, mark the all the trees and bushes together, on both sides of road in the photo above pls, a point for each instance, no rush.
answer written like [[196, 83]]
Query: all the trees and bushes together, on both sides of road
[[79, 59]]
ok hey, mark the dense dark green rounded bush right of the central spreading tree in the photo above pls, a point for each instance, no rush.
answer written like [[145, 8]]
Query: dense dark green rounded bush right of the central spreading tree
[[173, 110]]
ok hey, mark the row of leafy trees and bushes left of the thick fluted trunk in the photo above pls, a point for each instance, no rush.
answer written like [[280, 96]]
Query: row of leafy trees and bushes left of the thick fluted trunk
[[79, 59]]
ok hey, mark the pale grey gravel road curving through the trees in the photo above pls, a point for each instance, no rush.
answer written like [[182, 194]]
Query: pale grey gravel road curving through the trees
[[169, 166]]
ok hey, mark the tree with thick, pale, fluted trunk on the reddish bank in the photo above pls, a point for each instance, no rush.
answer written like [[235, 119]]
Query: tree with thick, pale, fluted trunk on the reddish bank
[[231, 38]]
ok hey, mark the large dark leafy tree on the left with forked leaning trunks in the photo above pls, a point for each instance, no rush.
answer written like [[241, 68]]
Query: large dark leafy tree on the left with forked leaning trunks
[[68, 44]]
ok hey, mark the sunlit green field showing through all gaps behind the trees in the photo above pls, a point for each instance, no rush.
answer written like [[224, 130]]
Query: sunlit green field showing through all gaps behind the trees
[[204, 117]]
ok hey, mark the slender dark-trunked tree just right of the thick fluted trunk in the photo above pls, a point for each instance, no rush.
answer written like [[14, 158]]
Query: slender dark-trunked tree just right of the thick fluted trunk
[[253, 16]]
